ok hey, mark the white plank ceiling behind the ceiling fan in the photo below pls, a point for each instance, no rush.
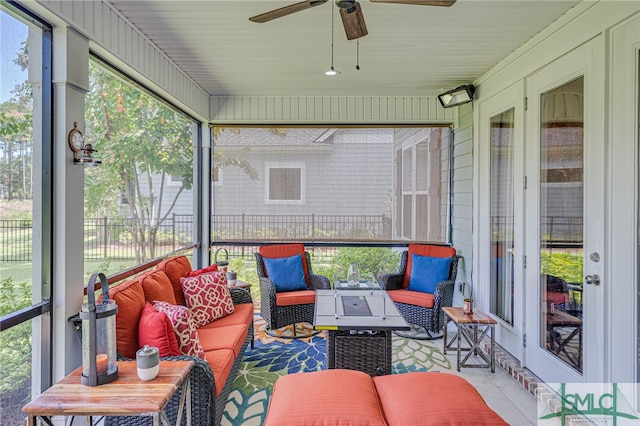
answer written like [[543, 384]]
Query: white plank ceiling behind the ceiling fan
[[410, 50]]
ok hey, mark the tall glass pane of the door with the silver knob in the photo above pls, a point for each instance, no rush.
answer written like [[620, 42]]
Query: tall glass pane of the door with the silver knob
[[561, 219]]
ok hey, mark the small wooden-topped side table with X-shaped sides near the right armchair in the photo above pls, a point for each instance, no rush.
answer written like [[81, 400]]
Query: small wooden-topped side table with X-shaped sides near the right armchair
[[473, 327]]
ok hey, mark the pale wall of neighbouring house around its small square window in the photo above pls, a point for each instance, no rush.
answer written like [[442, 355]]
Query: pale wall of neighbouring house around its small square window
[[336, 181]]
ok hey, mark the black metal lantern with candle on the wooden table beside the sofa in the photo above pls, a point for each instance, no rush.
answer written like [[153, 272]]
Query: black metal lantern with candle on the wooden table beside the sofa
[[99, 359]]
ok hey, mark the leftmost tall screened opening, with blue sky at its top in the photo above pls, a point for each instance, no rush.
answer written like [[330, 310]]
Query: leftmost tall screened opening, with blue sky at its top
[[25, 210]]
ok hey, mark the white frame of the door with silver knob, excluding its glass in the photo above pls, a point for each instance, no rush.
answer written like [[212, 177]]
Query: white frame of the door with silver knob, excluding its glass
[[588, 61]]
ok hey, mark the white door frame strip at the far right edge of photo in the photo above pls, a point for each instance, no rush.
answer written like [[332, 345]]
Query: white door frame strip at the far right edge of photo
[[622, 304]]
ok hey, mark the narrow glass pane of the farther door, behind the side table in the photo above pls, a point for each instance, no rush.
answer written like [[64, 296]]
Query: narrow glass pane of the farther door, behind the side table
[[501, 181]]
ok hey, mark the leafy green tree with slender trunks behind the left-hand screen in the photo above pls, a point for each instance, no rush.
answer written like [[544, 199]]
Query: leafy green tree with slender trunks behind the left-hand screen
[[142, 144]]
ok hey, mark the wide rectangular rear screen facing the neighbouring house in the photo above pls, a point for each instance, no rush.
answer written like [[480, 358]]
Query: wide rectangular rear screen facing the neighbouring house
[[320, 184]]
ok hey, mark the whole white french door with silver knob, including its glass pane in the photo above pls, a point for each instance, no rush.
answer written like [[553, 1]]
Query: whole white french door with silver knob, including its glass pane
[[564, 200]]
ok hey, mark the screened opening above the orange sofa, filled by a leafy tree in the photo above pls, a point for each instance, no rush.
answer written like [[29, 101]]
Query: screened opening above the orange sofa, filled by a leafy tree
[[139, 202]]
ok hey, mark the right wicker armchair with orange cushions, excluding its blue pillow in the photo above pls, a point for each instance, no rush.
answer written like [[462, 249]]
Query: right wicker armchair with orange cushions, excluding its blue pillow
[[415, 307]]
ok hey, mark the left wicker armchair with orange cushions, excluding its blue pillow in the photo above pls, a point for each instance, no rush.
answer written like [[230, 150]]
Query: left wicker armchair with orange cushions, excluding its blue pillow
[[278, 308]]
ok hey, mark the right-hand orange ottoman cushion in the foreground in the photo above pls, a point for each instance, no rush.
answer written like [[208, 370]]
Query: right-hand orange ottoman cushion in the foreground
[[422, 398]]
